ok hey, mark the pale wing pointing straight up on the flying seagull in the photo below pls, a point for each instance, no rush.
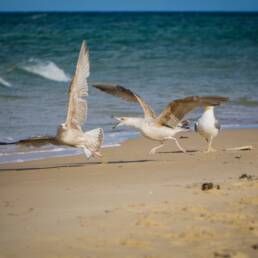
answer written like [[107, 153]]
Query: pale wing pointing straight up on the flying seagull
[[77, 105]]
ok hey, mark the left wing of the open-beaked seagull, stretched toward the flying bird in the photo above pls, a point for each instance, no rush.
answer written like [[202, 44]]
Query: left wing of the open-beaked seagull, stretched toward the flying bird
[[126, 94]]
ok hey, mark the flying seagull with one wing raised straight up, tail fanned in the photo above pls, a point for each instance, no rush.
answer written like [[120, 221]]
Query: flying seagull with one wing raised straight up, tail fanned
[[70, 132]]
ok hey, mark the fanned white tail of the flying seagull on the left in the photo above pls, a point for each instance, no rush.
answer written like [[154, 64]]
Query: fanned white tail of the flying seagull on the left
[[95, 139]]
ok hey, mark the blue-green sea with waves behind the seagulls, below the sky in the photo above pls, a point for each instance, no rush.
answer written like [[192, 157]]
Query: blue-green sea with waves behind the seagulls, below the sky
[[161, 56]]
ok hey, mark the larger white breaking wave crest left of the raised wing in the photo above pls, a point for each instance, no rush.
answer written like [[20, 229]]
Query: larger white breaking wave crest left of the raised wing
[[46, 69]]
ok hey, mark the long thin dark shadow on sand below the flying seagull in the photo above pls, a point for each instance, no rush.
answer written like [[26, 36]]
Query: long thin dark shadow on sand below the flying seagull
[[76, 165]]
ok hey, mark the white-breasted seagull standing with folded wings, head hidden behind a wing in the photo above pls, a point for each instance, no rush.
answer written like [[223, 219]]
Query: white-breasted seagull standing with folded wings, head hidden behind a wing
[[208, 126]]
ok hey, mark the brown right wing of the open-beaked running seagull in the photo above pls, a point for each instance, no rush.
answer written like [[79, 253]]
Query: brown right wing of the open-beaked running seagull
[[176, 110]]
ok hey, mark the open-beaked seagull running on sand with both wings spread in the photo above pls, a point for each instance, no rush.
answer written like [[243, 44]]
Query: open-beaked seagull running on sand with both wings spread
[[165, 126]]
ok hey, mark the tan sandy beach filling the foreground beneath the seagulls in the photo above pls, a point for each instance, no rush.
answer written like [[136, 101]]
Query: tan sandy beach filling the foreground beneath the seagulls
[[132, 204]]
